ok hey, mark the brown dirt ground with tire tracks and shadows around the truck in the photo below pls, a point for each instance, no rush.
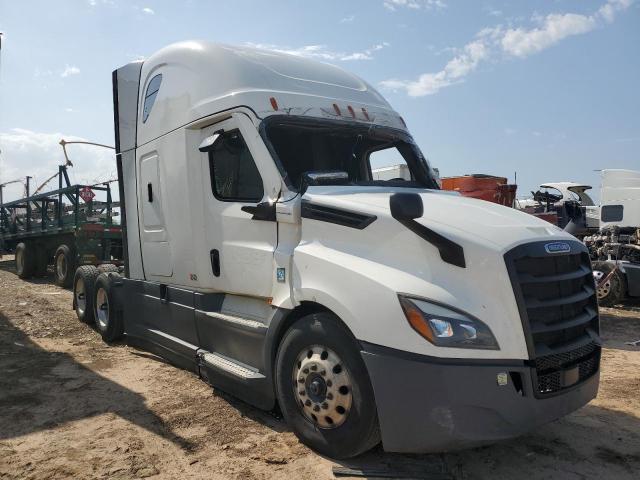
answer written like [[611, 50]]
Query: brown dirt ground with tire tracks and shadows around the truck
[[73, 407]]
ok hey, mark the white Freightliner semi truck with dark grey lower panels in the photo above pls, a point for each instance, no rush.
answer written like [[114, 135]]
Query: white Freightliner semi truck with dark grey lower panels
[[262, 254]]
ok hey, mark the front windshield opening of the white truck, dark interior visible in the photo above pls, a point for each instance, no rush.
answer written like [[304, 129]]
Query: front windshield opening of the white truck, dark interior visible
[[304, 145]]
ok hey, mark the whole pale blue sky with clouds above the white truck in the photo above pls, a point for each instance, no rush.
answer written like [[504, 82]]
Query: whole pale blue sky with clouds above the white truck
[[549, 90]]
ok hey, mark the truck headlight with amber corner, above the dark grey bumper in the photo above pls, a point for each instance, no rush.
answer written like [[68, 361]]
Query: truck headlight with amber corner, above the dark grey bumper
[[445, 327]]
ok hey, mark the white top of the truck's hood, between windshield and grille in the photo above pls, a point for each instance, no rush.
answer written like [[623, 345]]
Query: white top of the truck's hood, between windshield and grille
[[448, 213]]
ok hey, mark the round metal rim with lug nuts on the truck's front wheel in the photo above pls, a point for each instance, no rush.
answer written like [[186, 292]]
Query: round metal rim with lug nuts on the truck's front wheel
[[322, 386]]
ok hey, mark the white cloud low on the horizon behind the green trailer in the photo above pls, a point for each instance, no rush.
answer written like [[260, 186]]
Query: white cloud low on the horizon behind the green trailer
[[38, 154]]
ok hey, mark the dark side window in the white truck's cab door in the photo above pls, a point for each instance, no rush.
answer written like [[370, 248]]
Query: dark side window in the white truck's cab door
[[234, 175]]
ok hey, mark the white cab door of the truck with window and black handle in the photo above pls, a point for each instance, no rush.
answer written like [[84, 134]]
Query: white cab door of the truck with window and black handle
[[238, 182]]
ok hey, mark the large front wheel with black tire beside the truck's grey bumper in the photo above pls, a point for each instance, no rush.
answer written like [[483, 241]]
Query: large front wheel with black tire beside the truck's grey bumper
[[323, 388]]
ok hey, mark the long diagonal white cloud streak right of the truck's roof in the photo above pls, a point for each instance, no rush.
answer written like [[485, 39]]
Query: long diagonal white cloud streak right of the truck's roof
[[512, 42]]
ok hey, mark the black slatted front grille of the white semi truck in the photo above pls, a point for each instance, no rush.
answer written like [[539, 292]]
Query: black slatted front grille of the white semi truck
[[557, 302]]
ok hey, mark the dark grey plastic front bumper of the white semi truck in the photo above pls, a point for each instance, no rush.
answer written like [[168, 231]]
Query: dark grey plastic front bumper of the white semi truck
[[428, 405]]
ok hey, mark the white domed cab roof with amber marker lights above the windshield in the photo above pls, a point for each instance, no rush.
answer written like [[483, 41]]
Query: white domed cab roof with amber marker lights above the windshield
[[201, 78]]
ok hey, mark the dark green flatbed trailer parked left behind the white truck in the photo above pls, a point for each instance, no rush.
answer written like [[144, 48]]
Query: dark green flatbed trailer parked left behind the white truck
[[65, 227]]
